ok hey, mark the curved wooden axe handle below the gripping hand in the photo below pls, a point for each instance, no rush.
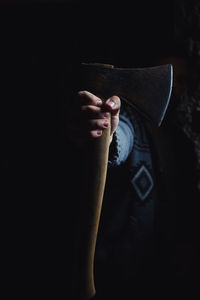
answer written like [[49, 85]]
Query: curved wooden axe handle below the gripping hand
[[93, 191]]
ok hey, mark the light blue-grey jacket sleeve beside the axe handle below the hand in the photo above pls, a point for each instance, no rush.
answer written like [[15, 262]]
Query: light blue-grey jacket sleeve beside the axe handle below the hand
[[122, 142]]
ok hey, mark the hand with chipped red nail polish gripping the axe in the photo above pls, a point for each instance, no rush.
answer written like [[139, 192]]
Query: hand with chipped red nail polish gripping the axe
[[89, 117]]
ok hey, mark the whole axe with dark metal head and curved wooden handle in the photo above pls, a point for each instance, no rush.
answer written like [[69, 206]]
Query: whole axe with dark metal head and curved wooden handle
[[148, 91]]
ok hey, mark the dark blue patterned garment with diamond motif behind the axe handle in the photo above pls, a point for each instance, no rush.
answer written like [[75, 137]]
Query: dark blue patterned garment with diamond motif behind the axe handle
[[125, 244]]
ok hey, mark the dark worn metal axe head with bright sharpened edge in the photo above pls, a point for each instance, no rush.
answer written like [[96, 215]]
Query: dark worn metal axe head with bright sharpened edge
[[148, 90]]
